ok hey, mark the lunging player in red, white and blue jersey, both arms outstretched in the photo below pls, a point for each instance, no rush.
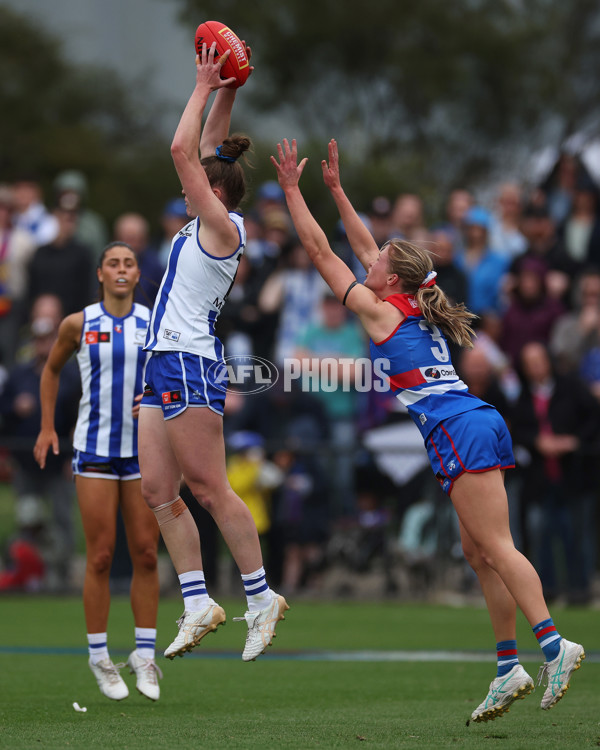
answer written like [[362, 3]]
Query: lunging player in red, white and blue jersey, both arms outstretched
[[407, 317]]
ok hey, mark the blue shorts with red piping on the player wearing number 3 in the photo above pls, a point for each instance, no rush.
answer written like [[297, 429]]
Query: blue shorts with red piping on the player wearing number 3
[[474, 441]]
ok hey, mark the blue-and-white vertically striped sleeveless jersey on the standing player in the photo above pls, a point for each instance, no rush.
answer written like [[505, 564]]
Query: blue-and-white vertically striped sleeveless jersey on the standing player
[[111, 361]]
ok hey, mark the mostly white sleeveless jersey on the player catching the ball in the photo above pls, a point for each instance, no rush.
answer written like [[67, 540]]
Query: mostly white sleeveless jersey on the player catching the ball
[[192, 293]]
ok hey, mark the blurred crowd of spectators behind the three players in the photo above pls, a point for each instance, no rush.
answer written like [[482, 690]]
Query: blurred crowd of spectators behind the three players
[[309, 458]]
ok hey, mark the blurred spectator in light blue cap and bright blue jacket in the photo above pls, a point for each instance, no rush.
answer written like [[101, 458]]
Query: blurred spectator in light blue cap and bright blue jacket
[[483, 267]]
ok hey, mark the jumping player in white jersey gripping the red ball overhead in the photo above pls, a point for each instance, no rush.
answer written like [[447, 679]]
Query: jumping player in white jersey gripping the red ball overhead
[[181, 420]]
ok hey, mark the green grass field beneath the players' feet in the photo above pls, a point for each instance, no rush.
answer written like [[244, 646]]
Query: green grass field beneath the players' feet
[[297, 696]]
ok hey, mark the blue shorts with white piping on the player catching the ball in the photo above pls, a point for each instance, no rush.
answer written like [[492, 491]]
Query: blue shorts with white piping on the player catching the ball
[[176, 380]]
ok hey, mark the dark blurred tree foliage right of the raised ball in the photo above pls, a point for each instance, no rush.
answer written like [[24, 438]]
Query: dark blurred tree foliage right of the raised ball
[[422, 95]]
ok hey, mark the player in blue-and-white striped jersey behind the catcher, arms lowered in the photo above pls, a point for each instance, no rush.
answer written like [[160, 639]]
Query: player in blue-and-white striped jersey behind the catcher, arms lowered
[[108, 338]]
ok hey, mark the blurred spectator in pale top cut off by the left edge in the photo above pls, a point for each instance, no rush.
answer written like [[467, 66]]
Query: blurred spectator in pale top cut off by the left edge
[[16, 250]]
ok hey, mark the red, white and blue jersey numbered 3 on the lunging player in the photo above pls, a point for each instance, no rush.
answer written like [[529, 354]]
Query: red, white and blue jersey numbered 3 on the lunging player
[[420, 370]]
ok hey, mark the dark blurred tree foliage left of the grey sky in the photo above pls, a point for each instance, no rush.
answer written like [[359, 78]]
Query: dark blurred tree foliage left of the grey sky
[[56, 115]]
